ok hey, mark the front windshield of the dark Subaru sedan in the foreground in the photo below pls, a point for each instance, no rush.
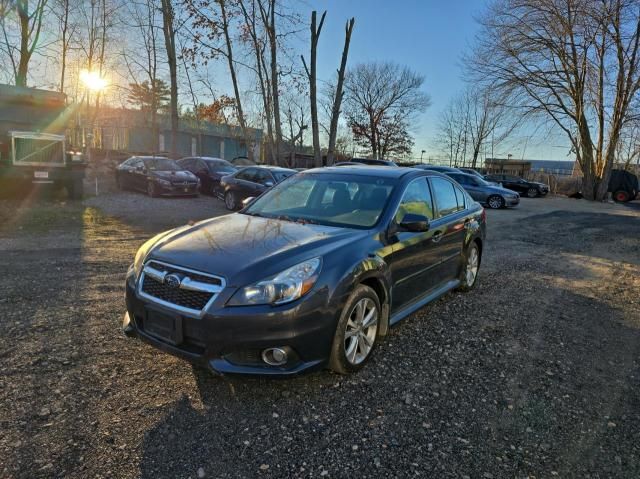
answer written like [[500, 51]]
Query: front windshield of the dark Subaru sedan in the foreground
[[328, 199]]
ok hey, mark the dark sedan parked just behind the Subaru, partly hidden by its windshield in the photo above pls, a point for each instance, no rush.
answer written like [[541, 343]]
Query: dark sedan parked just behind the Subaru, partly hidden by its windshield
[[250, 182]]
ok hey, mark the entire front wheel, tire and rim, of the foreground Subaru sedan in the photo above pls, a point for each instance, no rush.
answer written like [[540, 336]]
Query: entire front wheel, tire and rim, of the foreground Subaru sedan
[[352, 344]]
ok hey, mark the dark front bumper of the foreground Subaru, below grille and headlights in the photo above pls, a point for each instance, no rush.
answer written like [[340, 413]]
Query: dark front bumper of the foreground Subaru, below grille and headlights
[[229, 340]]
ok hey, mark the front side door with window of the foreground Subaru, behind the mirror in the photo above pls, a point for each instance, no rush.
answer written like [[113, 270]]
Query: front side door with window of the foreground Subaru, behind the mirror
[[414, 259]]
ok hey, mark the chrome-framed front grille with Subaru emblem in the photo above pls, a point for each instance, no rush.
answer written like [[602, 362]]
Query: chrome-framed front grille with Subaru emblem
[[190, 297]]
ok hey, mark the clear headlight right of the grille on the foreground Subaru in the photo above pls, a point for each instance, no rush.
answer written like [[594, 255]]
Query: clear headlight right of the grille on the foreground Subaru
[[284, 287]]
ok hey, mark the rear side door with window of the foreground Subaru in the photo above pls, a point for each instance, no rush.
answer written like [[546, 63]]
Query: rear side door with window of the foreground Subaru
[[449, 227]]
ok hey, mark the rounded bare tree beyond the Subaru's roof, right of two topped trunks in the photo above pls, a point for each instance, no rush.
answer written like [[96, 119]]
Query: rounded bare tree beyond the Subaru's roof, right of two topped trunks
[[381, 100]]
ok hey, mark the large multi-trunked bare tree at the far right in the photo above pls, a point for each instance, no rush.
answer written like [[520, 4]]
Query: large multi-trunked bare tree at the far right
[[573, 62]]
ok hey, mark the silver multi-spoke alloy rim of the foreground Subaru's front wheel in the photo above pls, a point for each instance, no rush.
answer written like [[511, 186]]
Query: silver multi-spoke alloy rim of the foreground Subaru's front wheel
[[361, 331]]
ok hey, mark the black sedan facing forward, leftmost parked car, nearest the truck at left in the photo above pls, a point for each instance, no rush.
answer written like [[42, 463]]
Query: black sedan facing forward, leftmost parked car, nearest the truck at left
[[156, 176]]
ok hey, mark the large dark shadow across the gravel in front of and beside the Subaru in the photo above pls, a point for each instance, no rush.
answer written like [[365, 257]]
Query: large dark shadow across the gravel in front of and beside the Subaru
[[547, 386]]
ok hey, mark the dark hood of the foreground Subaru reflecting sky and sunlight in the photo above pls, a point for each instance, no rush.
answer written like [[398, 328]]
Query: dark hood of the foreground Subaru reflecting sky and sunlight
[[244, 249]]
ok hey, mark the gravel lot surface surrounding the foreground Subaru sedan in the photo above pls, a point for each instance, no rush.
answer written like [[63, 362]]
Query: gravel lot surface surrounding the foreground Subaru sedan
[[533, 374]]
